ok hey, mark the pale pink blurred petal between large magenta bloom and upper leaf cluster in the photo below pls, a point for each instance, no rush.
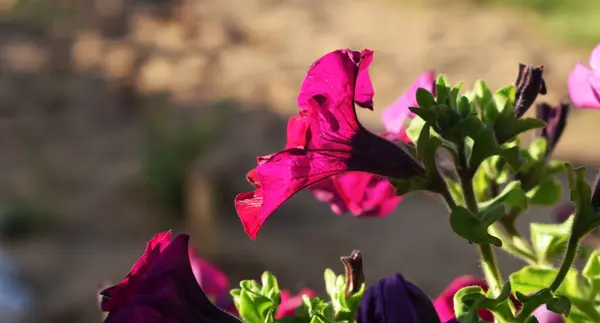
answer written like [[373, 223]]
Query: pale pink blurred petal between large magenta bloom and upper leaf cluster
[[395, 116]]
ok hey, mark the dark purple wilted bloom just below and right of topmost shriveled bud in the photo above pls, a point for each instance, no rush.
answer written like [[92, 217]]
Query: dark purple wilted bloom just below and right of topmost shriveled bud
[[556, 120]]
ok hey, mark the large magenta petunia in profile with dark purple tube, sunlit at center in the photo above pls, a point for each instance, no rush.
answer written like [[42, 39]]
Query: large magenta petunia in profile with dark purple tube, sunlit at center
[[326, 140]]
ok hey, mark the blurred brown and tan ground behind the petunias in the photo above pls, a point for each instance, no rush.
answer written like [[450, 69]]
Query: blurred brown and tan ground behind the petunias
[[122, 118]]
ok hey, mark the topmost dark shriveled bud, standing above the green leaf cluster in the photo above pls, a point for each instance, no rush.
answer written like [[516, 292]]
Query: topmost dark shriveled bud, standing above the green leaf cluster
[[529, 84]]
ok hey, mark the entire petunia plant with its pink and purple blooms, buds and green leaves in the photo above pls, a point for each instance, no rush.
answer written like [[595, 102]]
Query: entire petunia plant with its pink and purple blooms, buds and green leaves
[[468, 146]]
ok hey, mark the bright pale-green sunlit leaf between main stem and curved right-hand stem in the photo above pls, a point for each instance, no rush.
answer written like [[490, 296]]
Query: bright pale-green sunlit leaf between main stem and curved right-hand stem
[[549, 240]]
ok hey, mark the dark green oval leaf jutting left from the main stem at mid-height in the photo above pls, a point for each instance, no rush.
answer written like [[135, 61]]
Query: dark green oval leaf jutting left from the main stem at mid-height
[[468, 226]]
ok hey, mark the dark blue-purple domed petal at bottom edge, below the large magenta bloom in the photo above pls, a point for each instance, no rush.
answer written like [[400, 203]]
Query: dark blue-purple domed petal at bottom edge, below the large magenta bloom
[[394, 300]]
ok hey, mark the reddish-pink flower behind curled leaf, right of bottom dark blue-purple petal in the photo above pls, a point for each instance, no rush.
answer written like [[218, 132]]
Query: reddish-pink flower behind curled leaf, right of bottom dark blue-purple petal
[[444, 304]]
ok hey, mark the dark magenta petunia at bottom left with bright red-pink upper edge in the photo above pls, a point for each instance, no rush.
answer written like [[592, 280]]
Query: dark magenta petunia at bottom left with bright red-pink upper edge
[[161, 287]]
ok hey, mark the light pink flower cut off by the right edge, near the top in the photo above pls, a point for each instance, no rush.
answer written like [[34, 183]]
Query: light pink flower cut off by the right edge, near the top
[[584, 82]]
